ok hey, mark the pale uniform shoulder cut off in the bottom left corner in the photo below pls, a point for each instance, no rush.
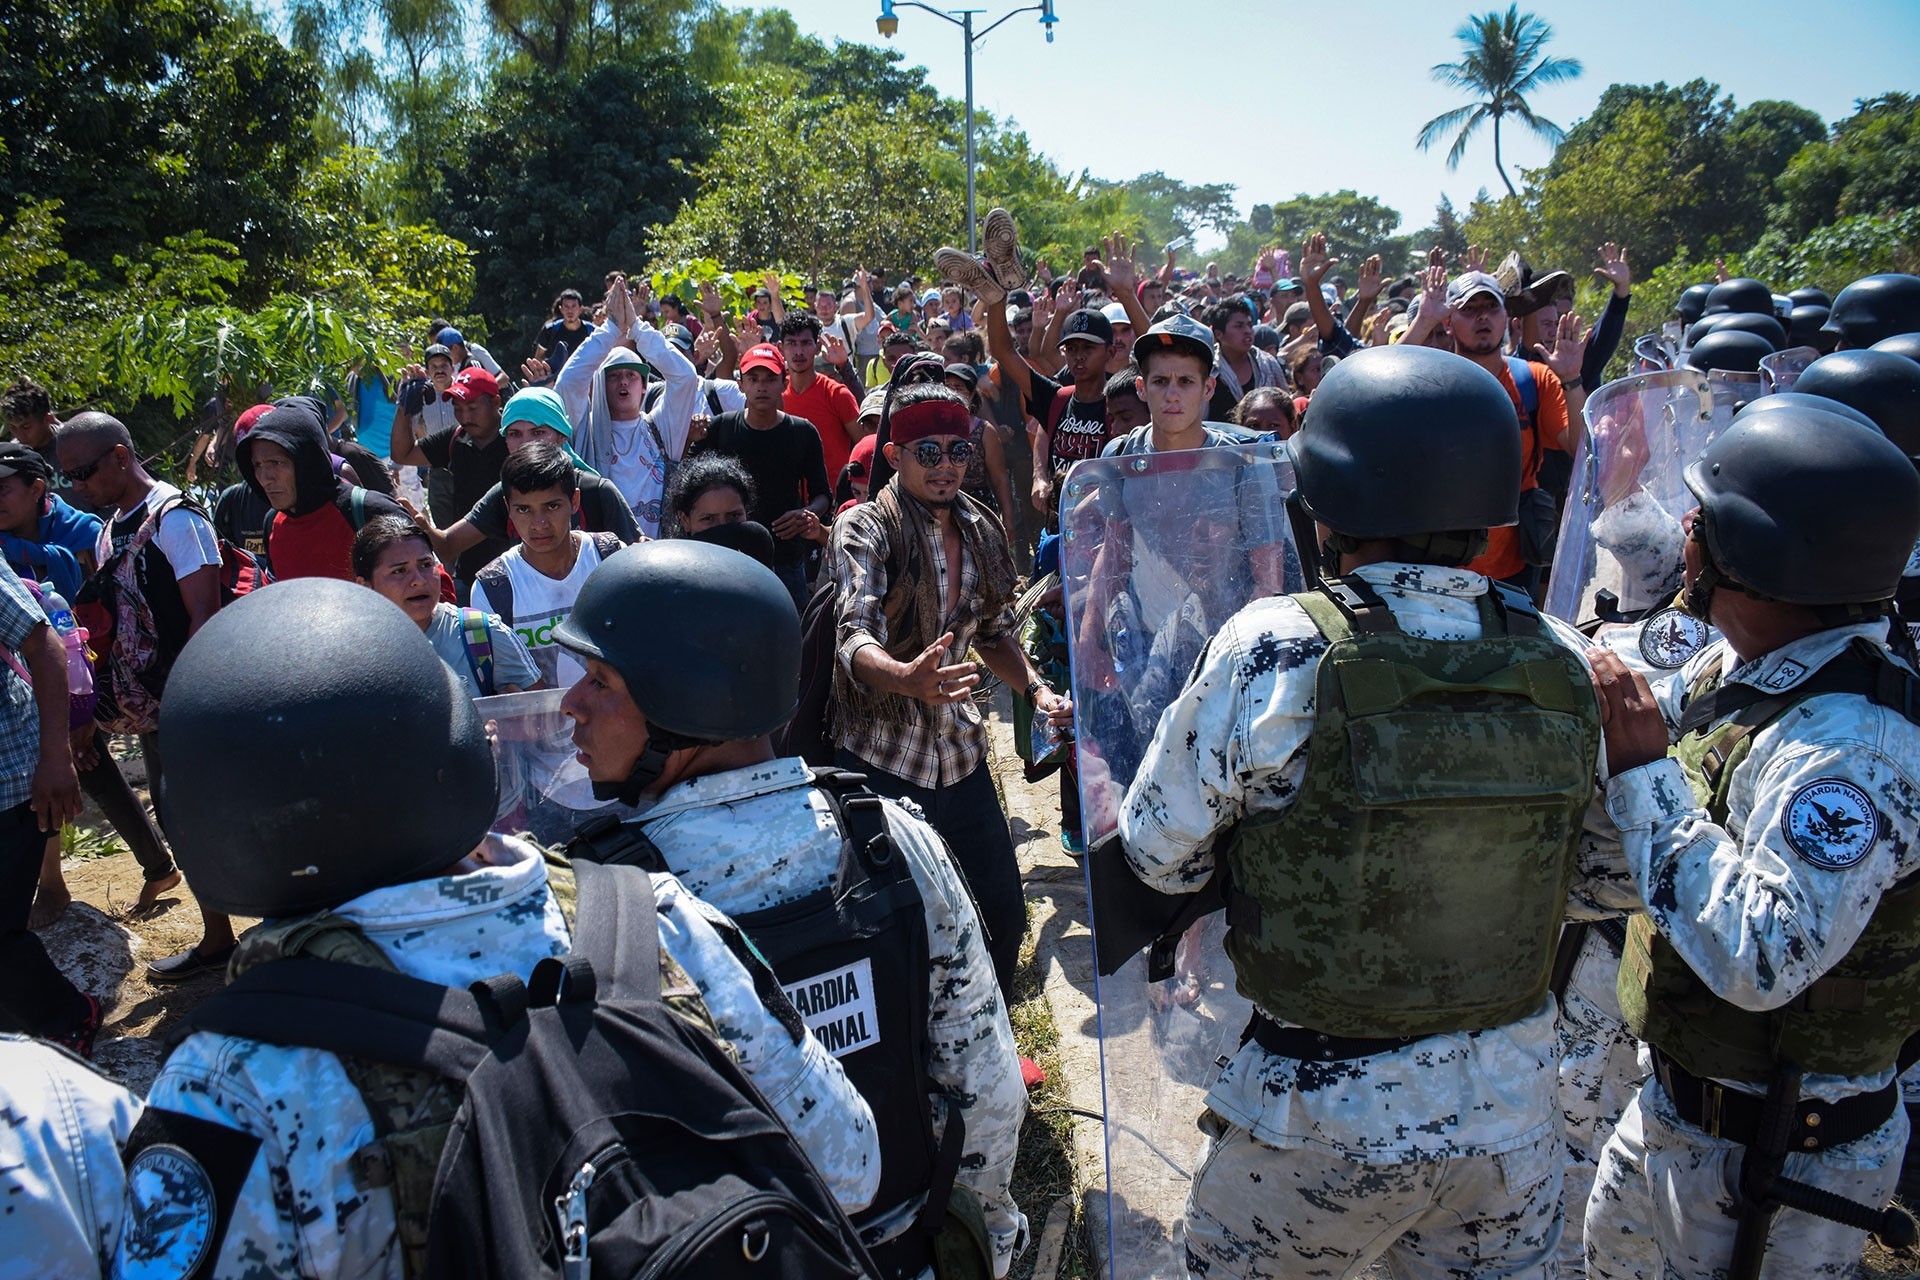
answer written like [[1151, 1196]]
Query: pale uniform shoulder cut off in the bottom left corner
[[62, 1127]]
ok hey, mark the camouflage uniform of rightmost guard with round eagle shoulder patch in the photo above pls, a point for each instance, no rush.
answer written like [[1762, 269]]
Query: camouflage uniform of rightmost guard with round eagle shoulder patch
[[1758, 914]]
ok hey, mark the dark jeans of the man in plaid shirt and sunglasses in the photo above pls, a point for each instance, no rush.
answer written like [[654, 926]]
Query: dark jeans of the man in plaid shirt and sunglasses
[[971, 820]]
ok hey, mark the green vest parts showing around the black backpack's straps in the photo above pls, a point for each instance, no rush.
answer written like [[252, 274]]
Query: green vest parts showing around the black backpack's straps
[[412, 1110]]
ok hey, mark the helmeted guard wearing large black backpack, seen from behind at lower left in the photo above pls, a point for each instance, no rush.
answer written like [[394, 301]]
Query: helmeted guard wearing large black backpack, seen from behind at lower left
[[256, 1160]]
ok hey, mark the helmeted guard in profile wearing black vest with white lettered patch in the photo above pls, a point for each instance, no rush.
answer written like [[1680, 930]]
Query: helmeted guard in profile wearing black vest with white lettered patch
[[692, 661]]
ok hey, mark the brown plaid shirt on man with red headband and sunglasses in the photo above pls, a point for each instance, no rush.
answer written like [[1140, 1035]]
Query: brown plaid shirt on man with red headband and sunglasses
[[940, 746]]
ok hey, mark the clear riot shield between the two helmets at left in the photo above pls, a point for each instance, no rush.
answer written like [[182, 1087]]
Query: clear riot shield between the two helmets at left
[[544, 792]]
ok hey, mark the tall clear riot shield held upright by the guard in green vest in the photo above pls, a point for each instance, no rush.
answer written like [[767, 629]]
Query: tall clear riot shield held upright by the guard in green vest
[[1159, 552]]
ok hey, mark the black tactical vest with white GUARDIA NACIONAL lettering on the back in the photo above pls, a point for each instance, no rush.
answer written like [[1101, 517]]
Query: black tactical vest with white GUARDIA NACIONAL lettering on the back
[[853, 960]]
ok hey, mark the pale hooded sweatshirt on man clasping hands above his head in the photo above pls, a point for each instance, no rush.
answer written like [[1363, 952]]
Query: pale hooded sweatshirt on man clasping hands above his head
[[633, 454]]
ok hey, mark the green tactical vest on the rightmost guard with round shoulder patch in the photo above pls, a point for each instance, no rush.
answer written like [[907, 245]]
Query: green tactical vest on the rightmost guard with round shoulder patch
[[1850, 1022]]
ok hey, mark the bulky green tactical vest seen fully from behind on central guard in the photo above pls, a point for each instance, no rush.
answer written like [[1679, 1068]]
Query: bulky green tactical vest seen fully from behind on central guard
[[1420, 880]]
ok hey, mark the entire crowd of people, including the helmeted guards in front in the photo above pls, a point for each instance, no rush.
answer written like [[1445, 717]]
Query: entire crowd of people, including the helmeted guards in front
[[771, 569]]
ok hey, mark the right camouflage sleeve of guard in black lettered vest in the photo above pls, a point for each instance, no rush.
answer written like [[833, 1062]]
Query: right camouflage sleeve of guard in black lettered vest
[[971, 1041]]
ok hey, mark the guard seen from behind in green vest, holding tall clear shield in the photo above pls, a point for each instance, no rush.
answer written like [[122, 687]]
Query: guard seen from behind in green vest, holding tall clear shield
[[1395, 1095]]
